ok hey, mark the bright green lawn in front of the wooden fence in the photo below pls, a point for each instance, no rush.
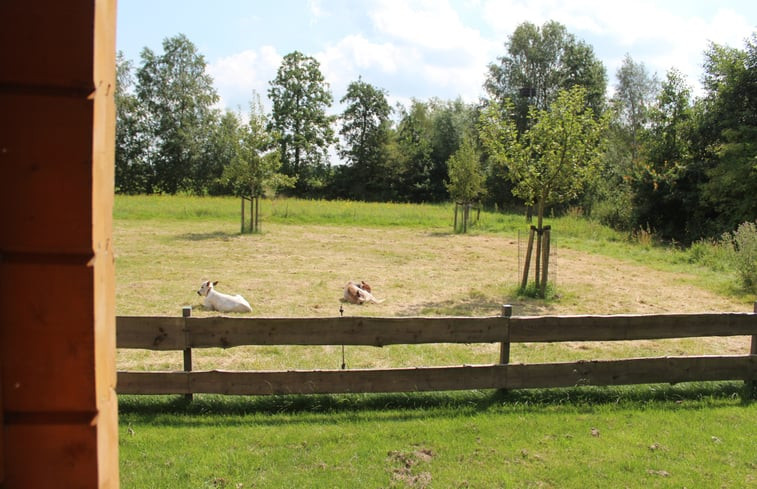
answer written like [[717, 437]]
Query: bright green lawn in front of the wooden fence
[[564, 438]]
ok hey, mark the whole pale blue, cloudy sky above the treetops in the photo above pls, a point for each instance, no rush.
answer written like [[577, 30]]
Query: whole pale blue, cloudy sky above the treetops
[[419, 49]]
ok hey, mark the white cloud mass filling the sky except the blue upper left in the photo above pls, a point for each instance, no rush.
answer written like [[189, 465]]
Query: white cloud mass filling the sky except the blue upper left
[[426, 48]]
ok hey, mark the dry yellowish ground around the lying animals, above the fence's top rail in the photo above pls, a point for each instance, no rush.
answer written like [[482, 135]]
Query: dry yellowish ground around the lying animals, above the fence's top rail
[[300, 271]]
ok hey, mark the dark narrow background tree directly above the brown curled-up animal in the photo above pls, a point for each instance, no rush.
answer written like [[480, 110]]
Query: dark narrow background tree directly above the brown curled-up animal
[[365, 131]]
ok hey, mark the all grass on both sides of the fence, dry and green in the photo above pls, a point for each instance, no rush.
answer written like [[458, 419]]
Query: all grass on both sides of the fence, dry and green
[[646, 436]]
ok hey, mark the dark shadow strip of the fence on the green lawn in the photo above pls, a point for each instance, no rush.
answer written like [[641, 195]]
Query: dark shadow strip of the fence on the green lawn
[[693, 395]]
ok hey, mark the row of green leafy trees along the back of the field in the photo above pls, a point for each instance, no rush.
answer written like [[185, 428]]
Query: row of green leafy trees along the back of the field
[[656, 158]]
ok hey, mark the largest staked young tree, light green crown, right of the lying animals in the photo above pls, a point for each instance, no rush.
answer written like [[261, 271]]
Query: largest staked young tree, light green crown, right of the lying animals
[[551, 161]]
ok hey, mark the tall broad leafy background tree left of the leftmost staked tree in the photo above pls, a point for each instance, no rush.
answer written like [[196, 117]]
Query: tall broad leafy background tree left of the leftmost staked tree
[[177, 93]]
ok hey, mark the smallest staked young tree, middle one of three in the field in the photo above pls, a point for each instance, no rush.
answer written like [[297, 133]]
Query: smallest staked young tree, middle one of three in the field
[[466, 179]]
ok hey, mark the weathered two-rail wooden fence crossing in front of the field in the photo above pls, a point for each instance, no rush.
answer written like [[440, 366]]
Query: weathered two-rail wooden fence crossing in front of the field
[[187, 333]]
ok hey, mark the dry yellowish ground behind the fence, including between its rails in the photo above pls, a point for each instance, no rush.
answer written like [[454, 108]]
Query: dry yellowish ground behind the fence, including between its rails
[[299, 271]]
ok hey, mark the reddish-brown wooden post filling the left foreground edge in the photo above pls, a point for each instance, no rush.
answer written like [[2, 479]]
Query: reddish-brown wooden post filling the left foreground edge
[[59, 409]]
